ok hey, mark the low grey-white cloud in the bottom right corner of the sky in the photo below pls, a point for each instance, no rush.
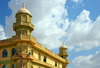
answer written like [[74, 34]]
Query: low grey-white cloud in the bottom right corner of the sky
[[90, 61]]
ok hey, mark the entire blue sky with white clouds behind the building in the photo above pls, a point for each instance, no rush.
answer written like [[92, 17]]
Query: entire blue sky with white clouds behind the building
[[76, 22]]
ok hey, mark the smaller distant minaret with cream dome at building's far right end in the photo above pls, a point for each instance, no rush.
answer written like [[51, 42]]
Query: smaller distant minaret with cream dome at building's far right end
[[63, 53]]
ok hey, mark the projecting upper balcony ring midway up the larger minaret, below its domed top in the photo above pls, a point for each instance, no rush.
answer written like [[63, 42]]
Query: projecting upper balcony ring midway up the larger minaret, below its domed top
[[23, 24]]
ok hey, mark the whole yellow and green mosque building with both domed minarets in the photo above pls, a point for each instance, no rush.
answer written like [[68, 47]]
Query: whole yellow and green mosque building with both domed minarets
[[23, 51]]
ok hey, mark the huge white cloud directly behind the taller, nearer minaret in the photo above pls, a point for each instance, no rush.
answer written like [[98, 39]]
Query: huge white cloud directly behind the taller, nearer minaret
[[47, 28]]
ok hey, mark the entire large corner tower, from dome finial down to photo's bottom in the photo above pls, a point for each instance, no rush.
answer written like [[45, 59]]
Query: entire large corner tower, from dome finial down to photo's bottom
[[23, 28]]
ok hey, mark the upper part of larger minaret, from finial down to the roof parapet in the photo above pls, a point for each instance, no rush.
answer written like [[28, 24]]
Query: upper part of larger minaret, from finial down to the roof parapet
[[23, 24]]
